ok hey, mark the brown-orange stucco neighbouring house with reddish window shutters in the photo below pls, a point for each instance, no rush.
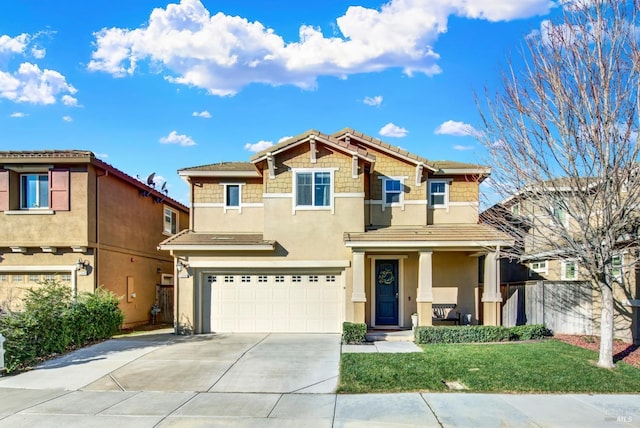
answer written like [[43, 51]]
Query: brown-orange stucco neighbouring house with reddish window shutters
[[70, 217]]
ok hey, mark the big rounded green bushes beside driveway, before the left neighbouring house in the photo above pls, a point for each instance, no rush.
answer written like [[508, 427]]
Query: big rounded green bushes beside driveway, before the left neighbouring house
[[52, 322]]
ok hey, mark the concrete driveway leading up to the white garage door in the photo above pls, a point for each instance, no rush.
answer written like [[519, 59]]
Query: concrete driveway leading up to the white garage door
[[267, 363]]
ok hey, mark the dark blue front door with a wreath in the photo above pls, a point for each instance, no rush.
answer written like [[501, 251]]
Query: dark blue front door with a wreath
[[386, 281]]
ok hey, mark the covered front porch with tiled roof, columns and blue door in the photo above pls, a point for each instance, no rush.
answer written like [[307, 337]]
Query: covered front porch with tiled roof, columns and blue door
[[400, 272]]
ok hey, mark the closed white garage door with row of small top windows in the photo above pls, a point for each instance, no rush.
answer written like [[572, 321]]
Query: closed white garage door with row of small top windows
[[309, 303]]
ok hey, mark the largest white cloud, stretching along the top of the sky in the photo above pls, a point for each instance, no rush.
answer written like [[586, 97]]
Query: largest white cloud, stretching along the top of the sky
[[223, 53]]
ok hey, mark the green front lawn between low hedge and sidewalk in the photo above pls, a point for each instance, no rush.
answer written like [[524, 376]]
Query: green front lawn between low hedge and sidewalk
[[545, 366]]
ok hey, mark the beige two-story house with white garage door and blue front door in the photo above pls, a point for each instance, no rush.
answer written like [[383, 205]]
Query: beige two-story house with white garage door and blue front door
[[321, 229]]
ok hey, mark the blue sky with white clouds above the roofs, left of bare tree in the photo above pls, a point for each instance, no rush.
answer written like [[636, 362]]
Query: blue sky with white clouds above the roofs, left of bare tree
[[155, 86]]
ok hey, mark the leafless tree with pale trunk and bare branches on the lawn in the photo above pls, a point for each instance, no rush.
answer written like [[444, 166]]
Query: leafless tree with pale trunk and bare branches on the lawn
[[562, 137]]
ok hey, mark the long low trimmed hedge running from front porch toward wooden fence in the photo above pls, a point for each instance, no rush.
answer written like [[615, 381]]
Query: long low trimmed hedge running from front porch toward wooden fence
[[478, 333]]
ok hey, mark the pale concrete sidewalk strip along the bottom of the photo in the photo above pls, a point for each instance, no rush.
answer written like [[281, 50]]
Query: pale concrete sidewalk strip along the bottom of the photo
[[55, 408]]
